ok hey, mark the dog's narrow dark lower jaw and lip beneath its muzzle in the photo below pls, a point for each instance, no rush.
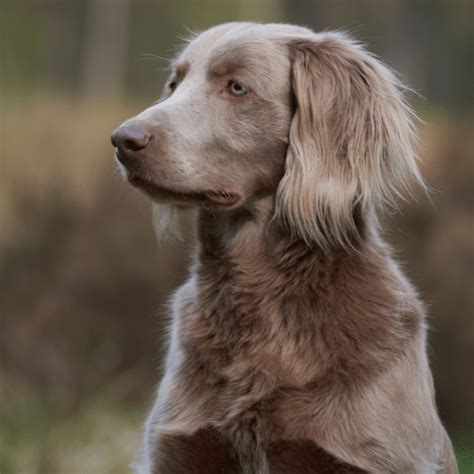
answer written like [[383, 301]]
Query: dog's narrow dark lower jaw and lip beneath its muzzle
[[208, 198]]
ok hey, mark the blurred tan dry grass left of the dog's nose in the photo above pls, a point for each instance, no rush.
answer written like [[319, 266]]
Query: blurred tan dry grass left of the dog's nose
[[54, 147]]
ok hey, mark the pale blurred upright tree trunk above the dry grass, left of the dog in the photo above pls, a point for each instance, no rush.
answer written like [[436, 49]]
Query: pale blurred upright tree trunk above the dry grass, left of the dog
[[105, 47]]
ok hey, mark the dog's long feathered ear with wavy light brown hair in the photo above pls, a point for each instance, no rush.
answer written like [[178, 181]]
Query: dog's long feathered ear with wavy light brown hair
[[350, 143]]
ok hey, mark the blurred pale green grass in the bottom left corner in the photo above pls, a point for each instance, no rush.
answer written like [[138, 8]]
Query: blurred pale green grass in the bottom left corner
[[99, 437]]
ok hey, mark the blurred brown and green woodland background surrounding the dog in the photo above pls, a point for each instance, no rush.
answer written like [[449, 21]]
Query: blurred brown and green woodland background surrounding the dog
[[83, 282]]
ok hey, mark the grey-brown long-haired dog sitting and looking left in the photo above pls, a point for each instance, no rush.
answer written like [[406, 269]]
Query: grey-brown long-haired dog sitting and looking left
[[296, 344]]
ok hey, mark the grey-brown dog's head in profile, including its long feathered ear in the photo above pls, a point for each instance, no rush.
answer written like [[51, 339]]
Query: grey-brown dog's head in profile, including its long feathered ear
[[252, 110]]
